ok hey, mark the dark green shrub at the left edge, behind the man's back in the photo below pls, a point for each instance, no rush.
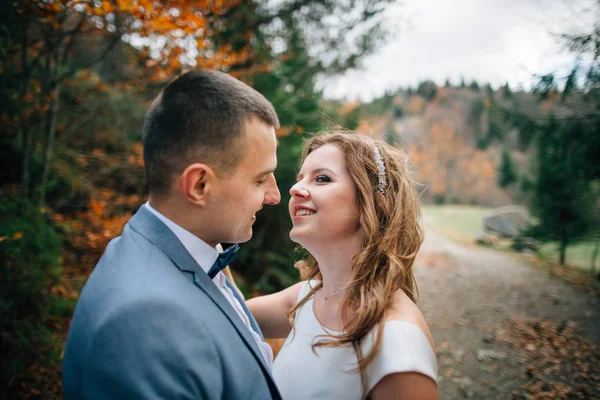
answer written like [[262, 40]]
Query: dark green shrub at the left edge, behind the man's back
[[29, 266]]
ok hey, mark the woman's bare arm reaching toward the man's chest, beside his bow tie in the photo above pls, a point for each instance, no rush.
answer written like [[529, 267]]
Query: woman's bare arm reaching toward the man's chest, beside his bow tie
[[271, 311]]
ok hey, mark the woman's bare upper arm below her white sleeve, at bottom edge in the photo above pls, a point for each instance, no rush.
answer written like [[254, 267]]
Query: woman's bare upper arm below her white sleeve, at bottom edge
[[405, 385]]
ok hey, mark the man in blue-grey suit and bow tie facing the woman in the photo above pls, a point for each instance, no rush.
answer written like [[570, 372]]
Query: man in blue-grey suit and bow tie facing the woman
[[157, 319]]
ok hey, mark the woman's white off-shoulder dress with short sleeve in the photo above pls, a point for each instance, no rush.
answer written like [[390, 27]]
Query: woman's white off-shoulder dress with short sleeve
[[330, 373]]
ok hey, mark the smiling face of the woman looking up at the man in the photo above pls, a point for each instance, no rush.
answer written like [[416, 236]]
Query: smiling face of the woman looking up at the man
[[323, 204]]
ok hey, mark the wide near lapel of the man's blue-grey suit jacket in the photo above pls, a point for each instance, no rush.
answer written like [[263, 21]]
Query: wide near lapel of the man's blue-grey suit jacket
[[146, 224]]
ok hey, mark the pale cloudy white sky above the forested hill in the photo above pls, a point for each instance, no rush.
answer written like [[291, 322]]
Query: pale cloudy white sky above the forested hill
[[491, 41]]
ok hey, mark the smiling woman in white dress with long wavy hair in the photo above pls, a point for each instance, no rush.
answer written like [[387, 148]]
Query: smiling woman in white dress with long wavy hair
[[353, 329]]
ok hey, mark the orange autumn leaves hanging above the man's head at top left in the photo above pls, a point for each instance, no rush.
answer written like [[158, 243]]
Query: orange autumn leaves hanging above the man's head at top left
[[171, 35]]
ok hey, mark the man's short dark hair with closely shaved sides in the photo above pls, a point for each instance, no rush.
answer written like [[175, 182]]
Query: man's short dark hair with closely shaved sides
[[200, 117]]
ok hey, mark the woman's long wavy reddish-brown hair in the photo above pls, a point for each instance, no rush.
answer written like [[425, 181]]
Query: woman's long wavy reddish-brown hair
[[392, 235]]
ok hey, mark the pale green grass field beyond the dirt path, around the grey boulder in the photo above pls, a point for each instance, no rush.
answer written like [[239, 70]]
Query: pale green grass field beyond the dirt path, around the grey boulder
[[462, 223]]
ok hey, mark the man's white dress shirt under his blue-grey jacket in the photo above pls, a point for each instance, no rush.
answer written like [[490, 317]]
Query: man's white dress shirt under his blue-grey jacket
[[206, 256]]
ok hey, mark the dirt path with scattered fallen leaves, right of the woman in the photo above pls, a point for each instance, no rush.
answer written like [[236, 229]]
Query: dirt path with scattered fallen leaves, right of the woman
[[468, 293]]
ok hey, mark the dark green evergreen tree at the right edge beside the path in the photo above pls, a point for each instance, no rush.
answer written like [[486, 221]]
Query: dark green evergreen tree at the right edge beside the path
[[568, 175]]
